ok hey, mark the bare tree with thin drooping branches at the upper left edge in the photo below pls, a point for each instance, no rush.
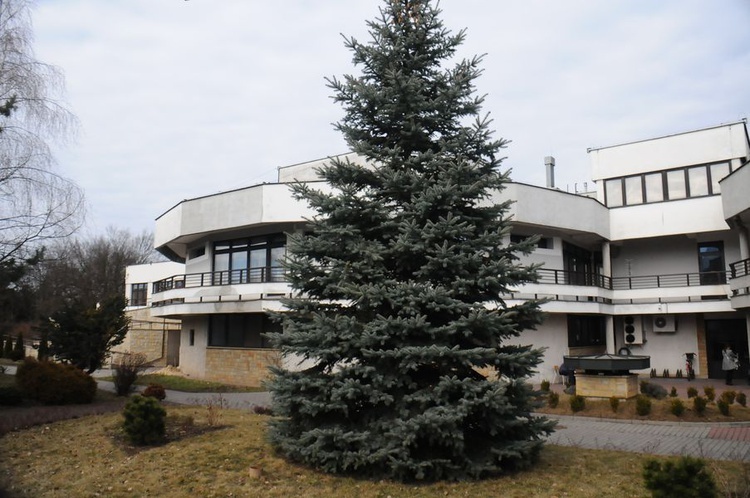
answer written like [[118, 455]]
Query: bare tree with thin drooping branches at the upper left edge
[[36, 203]]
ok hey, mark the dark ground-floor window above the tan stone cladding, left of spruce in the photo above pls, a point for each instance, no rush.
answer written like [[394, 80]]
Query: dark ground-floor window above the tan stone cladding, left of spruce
[[242, 330]]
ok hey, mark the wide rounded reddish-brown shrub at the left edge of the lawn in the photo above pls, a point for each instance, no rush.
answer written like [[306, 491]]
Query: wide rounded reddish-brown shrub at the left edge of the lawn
[[54, 383]]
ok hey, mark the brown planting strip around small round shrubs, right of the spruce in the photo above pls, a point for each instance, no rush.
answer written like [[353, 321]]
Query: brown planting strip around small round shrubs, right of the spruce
[[660, 410]]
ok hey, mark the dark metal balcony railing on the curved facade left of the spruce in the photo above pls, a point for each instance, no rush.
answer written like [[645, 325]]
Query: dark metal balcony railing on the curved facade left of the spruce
[[228, 277]]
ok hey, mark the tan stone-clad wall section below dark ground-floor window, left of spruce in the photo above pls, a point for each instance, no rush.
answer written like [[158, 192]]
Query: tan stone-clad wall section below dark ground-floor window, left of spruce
[[247, 367]]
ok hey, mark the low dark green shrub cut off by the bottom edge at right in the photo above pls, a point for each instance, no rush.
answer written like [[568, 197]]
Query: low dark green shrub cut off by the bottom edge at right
[[685, 477]]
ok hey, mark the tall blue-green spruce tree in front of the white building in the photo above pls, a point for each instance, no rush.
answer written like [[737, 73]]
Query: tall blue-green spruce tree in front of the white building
[[398, 284]]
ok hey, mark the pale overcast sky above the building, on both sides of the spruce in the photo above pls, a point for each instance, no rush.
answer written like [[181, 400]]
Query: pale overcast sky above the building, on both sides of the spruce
[[179, 99]]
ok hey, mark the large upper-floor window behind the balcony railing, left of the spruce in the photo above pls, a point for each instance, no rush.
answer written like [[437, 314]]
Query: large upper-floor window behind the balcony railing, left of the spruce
[[252, 260]]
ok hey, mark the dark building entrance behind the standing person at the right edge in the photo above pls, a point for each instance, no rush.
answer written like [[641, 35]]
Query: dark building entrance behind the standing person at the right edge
[[732, 332]]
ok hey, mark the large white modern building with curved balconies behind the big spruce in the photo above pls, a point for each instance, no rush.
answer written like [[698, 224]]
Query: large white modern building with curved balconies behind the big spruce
[[656, 260]]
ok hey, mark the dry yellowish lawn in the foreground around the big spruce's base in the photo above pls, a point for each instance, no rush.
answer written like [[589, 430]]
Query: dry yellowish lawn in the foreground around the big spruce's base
[[85, 457]]
